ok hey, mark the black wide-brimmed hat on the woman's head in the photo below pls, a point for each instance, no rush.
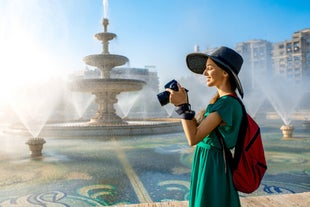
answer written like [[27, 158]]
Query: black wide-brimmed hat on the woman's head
[[228, 59]]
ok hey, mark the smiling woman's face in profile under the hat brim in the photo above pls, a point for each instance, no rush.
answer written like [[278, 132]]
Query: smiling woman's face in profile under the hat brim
[[214, 74]]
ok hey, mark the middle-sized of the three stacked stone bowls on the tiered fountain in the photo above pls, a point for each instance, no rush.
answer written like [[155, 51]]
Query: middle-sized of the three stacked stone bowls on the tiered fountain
[[105, 60]]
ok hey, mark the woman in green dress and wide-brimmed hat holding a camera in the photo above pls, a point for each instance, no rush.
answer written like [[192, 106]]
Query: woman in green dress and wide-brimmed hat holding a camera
[[211, 184]]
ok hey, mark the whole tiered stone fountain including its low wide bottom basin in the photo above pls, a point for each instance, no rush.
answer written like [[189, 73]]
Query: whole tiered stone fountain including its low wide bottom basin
[[105, 88]]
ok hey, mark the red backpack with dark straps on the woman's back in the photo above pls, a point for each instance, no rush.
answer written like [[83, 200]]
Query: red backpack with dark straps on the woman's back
[[248, 165]]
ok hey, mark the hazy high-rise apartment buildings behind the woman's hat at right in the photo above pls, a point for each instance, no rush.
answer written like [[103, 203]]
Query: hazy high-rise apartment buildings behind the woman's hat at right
[[289, 59]]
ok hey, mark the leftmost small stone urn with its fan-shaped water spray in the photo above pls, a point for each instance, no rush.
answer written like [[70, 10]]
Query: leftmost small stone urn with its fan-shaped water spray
[[34, 106]]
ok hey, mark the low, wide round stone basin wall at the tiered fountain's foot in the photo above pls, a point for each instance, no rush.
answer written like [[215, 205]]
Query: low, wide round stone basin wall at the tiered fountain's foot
[[102, 131]]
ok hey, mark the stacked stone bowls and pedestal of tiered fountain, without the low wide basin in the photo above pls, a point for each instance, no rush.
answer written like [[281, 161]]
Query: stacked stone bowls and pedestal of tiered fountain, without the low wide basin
[[106, 88]]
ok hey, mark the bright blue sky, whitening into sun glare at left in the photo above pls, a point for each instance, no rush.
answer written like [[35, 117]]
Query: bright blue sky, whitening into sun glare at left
[[45, 38]]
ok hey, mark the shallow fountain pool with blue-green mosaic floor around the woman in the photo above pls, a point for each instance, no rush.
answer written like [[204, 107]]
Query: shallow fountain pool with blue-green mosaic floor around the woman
[[113, 171]]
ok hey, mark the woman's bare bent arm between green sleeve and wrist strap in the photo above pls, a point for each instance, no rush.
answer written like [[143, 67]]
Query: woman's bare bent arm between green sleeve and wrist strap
[[194, 133]]
